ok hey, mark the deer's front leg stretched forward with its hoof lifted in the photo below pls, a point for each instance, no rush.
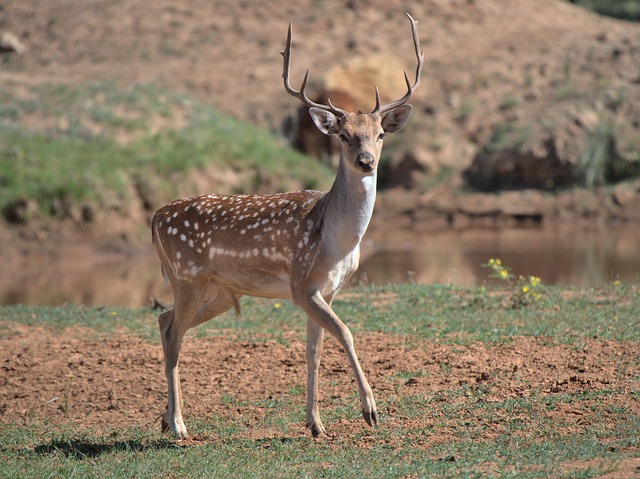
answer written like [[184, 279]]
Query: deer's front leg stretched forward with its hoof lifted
[[318, 310]]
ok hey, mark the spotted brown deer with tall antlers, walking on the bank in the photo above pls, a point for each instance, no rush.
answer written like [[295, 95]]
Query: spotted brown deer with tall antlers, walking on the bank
[[300, 246]]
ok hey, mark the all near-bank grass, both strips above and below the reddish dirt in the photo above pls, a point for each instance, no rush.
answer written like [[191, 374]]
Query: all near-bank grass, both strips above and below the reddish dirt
[[460, 430]]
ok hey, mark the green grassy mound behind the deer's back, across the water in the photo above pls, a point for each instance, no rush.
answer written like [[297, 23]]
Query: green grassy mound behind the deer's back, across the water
[[89, 143]]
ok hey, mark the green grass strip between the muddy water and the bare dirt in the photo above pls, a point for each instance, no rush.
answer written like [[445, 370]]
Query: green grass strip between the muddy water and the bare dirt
[[444, 313]]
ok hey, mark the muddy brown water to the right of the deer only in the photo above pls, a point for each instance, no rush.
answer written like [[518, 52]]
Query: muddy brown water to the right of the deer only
[[563, 256]]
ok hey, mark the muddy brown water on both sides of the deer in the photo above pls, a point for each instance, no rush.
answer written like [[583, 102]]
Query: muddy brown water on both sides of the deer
[[564, 256]]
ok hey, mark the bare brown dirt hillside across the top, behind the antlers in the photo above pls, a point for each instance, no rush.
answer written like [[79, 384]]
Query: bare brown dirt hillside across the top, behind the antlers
[[517, 75]]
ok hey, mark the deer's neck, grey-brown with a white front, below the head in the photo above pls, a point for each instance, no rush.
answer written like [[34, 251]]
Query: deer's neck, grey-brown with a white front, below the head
[[348, 207]]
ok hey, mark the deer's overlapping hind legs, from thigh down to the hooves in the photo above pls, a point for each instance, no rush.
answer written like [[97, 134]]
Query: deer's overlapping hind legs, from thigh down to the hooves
[[173, 326]]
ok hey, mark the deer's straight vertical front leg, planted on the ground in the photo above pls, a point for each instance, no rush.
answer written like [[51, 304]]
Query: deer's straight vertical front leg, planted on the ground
[[315, 335]]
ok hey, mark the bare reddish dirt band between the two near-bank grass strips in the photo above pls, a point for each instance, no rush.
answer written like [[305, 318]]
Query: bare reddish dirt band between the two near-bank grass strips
[[117, 382]]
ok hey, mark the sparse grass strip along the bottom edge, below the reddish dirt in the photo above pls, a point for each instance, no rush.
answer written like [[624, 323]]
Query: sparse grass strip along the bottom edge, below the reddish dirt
[[132, 454]]
